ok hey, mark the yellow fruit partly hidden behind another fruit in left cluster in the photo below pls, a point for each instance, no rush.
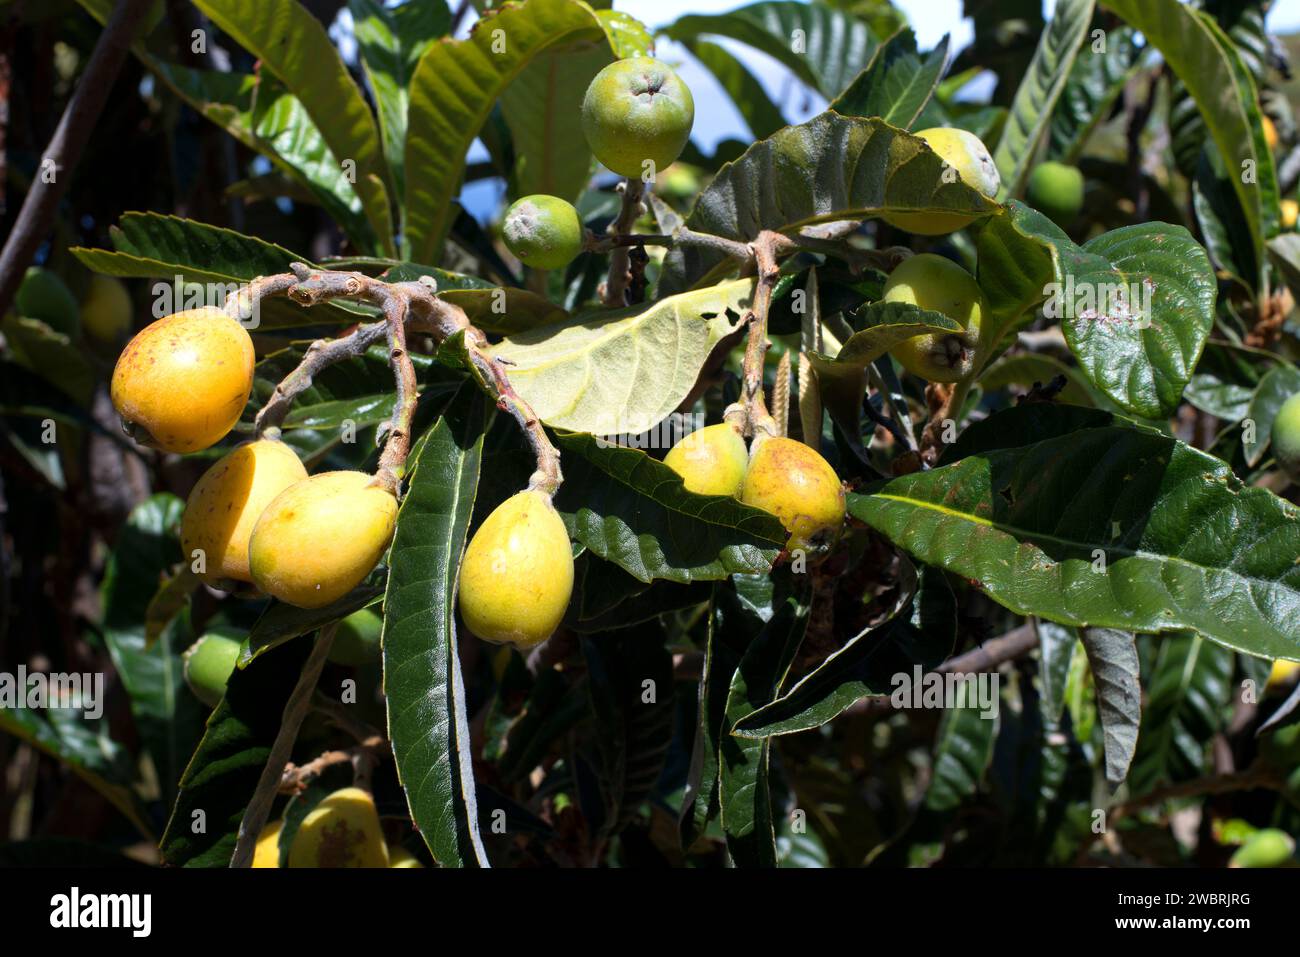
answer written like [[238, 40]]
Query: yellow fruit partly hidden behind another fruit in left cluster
[[227, 503]]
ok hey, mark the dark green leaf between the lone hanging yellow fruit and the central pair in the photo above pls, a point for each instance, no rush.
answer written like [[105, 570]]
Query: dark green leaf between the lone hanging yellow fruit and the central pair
[[634, 510]]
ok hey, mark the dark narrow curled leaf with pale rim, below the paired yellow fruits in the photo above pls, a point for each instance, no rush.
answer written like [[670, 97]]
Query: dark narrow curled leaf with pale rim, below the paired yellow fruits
[[868, 665]]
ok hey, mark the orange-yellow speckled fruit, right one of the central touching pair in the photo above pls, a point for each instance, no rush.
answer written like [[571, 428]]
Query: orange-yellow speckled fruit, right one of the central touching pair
[[799, 487]]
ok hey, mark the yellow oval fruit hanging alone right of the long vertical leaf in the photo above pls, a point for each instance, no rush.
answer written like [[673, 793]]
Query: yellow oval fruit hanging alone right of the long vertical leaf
[[518, 574]]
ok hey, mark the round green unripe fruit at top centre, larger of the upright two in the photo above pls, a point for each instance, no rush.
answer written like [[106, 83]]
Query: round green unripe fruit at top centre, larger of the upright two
[[638, 112]]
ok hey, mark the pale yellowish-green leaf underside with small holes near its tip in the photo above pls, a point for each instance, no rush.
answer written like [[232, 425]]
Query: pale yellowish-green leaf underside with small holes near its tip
[[622, 371]]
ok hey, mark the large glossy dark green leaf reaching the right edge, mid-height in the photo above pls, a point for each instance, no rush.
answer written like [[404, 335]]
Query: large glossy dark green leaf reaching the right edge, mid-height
[[1186, 545]]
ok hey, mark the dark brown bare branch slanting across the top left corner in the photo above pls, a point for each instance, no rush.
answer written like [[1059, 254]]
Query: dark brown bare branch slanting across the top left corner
[[68, 144]]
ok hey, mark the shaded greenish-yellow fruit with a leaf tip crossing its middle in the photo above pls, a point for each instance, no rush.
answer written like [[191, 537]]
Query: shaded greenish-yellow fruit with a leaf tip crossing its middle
[[938, 285]]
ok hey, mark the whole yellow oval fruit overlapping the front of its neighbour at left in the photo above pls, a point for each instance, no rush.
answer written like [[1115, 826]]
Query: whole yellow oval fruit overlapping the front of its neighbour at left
[[320, 538]]
